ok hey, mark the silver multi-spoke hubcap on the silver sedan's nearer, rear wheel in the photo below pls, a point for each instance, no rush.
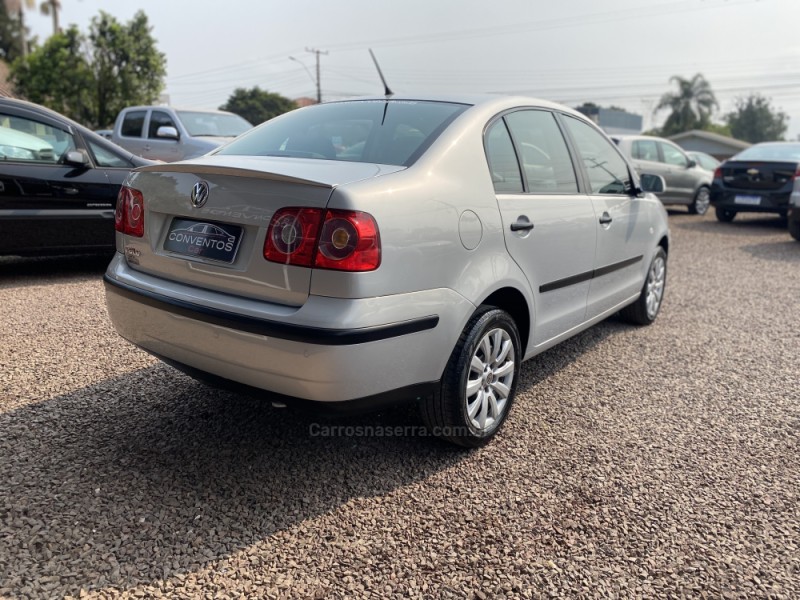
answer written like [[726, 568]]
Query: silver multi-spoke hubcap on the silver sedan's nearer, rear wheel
[[491, 374]]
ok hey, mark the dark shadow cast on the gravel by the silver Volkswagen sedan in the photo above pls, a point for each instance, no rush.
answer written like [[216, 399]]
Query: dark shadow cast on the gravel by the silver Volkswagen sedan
[[152, 475]]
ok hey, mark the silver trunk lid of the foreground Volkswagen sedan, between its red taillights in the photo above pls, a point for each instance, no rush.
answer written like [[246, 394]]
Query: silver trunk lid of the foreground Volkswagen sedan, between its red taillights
[[243, 194]]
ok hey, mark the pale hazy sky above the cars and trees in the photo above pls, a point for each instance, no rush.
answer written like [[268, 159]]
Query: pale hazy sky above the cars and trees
[[619, 52]]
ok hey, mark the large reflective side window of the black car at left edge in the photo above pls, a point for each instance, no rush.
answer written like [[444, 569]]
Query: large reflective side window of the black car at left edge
[[23, 139]]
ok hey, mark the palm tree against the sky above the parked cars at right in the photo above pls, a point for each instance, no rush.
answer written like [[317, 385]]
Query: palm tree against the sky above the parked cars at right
[[691, 106]]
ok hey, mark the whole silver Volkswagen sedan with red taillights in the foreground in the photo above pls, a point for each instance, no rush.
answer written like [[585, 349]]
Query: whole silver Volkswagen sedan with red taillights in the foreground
[[378, 249]]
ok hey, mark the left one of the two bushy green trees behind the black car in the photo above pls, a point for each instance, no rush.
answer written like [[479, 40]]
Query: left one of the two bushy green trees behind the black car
[[57, 75]]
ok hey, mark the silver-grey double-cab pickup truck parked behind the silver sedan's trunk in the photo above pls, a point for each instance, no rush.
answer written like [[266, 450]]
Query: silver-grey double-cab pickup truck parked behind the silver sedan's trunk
[[169, 134]]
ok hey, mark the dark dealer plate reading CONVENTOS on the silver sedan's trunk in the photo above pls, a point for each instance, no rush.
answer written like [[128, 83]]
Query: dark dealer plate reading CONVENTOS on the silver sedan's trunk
[[213, 241]]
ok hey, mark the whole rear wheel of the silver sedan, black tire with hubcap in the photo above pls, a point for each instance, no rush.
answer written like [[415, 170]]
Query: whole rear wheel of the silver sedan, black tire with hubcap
[[479, 383]]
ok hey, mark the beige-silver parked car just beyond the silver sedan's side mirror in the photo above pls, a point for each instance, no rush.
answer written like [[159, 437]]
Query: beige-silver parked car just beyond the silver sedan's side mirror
[[687, 182]]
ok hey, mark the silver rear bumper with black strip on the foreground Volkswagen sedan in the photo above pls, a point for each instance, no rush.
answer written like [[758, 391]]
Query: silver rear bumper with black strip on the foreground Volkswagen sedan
[[379, 345]]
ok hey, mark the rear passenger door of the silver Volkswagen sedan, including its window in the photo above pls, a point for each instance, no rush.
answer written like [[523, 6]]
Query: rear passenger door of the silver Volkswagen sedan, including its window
[[549, 226]]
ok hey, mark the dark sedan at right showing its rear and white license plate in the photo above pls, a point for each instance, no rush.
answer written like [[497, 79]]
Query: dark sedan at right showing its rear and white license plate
[[759, 179]]
